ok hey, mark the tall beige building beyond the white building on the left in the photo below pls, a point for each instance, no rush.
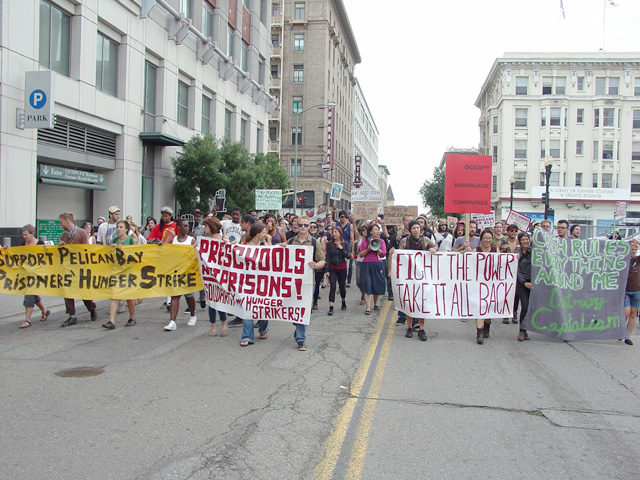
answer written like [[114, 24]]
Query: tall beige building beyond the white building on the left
[[313, 56]]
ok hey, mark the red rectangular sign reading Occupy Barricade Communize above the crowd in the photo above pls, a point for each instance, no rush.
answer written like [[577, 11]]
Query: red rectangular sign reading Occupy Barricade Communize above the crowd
[[467, 183]]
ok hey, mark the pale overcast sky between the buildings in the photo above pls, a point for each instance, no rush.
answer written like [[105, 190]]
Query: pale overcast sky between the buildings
[[424, 62]]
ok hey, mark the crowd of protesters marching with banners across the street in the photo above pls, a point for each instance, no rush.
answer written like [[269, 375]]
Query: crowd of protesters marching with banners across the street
[[340, 244]]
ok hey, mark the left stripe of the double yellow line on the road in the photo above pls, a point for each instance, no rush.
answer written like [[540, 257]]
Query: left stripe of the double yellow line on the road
[[333, 446]]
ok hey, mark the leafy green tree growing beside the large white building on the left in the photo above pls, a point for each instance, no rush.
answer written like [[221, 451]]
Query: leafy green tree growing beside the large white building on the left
[[207, 165]]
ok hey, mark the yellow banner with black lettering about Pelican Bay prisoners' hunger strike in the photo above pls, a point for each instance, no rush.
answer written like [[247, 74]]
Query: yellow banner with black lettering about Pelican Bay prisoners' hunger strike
[[92, 272]]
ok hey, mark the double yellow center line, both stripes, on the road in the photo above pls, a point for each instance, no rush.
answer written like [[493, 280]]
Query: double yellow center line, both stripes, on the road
[[333, 447]]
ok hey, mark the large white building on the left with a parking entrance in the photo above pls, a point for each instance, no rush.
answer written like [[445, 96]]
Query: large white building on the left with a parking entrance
[[133, 80]]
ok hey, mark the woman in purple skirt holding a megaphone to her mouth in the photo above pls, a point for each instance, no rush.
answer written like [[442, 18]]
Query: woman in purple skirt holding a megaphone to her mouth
[[372, 270]]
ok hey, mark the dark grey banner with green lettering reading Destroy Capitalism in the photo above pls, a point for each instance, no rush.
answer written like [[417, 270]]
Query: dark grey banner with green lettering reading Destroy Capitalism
[[578, 288]]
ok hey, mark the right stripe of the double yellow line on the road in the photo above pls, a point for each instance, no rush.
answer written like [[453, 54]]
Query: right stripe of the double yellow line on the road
[[359, 452]]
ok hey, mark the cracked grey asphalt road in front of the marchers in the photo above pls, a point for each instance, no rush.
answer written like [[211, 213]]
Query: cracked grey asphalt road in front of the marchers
[[362, 402]]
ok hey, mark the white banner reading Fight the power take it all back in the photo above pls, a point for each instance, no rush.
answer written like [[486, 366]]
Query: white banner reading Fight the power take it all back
[[454, 285]]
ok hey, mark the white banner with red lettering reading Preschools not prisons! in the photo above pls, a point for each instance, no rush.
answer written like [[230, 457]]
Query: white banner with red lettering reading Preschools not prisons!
[[258, 282]]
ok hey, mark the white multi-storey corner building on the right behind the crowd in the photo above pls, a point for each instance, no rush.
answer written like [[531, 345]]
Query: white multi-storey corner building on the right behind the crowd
[[581, 109]]
